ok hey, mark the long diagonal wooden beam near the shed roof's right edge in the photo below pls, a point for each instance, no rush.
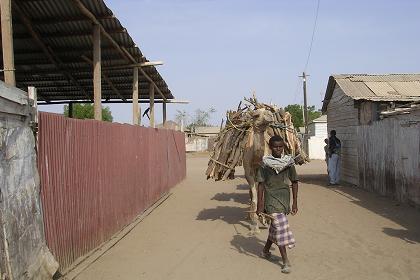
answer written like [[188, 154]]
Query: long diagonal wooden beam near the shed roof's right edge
[[120, 49]]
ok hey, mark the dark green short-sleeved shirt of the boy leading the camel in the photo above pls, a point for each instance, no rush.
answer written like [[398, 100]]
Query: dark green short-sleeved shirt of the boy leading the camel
[[277, 188]]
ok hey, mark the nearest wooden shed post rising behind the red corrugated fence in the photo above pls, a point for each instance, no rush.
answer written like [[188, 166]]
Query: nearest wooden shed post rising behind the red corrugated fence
[[97, 83]]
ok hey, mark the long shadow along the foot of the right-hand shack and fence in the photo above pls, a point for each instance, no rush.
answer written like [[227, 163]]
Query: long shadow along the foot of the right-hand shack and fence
[[404, 215]]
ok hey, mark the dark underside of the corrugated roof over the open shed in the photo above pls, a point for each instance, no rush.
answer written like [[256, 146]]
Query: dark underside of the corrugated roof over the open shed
[[67, 33]]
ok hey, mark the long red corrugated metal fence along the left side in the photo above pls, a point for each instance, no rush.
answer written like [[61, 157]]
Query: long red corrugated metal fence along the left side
[[96, 177]]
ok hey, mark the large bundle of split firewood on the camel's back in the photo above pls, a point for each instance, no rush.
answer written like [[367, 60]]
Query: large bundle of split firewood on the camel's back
[[240, 125]]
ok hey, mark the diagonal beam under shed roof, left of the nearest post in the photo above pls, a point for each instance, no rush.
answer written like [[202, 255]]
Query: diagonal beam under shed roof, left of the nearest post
[[47, 51]]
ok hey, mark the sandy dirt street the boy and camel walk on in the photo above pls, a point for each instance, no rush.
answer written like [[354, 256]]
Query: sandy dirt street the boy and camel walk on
[[200, 232]]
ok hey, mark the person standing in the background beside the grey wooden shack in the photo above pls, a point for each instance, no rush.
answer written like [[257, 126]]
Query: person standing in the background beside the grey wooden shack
[[334, 147]]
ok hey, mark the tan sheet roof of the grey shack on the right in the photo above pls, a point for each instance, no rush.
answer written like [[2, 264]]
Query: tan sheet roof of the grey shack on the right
[[389, 87]]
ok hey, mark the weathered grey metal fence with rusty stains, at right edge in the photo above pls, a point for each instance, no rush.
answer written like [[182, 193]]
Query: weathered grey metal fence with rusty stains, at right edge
[[389, 157]]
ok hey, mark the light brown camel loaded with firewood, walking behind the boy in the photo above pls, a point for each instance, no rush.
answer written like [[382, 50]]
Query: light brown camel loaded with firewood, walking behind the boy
[[257, 146]]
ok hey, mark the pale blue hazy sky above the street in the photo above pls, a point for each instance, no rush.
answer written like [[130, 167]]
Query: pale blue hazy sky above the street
[[216, 52]]
